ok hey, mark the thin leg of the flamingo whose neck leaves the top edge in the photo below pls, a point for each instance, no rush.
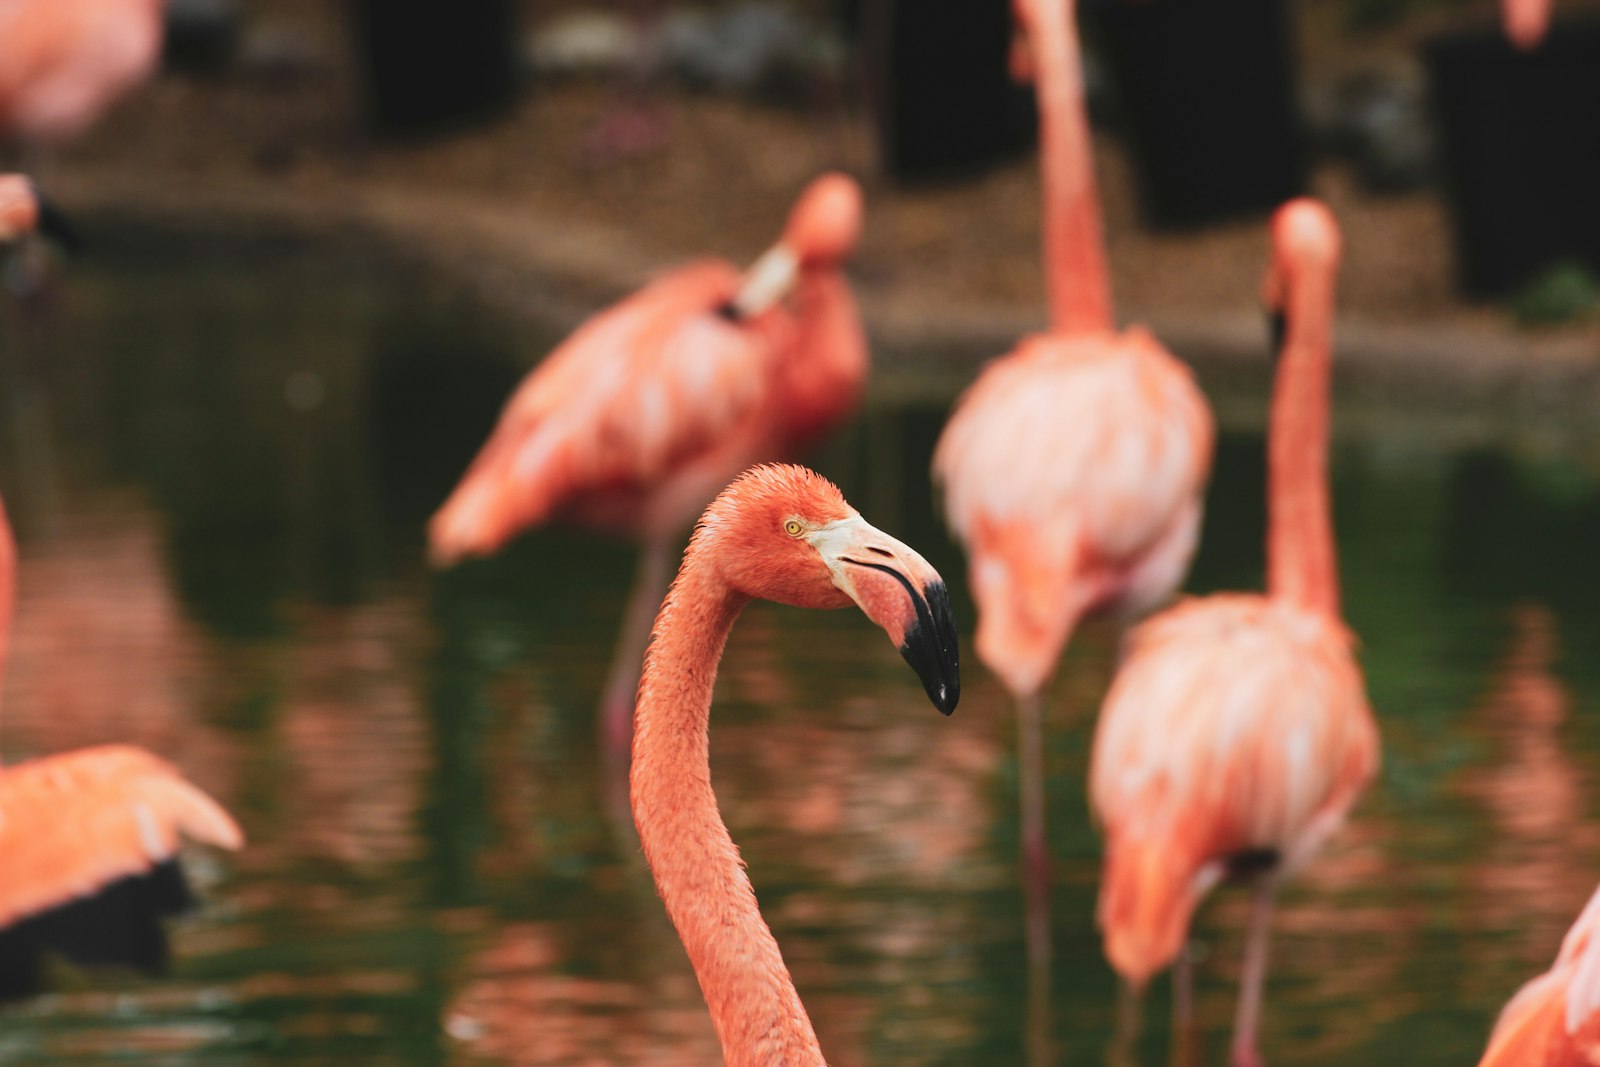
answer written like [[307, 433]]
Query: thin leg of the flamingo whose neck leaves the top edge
[[1036, 874]]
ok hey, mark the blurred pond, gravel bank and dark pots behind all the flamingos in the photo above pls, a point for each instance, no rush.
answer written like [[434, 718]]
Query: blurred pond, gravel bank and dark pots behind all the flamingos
[[327, 241]]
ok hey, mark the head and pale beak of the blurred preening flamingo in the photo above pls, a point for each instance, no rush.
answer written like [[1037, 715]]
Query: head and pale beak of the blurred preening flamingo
[[822, 233]]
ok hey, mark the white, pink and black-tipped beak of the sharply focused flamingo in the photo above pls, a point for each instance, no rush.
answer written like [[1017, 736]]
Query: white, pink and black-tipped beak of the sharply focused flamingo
[[903, 594]]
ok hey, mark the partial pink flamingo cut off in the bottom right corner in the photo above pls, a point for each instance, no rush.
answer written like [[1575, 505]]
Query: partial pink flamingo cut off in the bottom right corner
[[1554, 1021]]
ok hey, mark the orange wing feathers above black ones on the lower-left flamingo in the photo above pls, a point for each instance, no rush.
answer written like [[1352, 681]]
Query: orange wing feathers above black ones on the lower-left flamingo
[[76, 823]]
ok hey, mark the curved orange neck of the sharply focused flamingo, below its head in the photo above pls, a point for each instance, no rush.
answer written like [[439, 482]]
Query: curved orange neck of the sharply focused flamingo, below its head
[[698, 873]]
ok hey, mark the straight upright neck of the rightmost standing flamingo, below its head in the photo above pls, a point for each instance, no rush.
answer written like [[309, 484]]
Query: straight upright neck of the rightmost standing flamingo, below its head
[[1302, 565]]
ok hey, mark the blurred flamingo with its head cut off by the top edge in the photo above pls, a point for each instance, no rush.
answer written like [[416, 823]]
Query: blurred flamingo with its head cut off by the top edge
[[1074, 466]]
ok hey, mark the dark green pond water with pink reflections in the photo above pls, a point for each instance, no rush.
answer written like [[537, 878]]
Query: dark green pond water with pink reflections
[[220, 481]]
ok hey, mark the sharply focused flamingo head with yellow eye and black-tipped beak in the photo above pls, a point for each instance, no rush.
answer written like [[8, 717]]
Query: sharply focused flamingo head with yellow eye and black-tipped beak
[[786, 533]]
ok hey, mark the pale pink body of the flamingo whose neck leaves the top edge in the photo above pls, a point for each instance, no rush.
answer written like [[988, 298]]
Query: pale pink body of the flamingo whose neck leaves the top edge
[[1073, 470]]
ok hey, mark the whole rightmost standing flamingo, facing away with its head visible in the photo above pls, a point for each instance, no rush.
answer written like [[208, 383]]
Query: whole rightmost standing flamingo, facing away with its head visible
[[1238, 733]]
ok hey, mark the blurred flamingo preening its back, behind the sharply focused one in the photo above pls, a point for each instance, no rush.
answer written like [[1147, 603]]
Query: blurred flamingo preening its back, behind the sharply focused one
[[639, 418]]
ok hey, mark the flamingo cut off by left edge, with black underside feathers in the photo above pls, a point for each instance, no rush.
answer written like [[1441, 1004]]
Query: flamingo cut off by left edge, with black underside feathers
[[90, 842]]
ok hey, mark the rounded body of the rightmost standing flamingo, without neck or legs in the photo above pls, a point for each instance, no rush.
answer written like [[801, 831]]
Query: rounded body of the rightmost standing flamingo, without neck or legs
[[1238, 732]]
